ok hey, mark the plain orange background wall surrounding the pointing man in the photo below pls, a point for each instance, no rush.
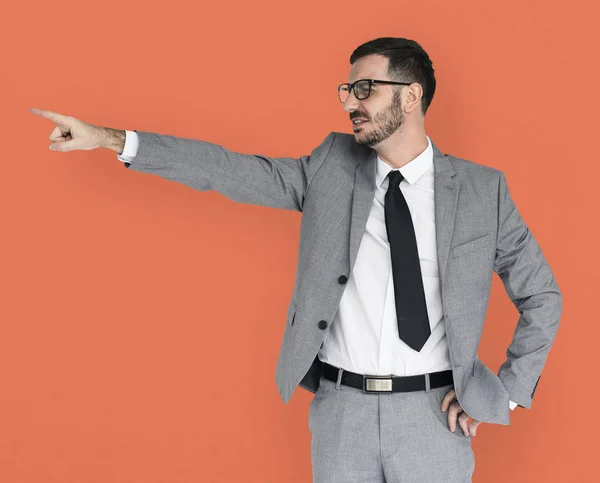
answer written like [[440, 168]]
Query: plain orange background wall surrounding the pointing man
[[141, 320]]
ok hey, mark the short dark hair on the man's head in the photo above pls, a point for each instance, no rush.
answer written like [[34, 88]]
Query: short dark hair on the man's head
[[408, 62]]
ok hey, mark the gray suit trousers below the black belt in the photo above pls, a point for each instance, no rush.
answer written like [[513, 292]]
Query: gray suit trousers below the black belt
[[400, 437]]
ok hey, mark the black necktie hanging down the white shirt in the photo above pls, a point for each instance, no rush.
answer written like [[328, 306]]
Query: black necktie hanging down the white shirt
[[411, 308]]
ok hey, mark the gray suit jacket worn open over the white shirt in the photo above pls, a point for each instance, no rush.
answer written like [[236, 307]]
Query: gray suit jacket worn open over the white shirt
[[478, 231]]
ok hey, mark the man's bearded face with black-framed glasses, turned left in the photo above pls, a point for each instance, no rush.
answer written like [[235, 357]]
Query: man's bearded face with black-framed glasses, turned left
[[382, 109]]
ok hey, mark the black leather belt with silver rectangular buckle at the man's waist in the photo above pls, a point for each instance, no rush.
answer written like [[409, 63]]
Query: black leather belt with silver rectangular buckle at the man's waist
[[387, 384]]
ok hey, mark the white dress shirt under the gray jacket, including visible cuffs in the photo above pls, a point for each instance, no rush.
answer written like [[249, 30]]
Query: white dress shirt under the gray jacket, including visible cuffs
[[363, 337]]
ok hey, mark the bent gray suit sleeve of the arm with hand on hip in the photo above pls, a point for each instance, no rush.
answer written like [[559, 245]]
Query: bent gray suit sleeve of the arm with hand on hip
[[530, 284]]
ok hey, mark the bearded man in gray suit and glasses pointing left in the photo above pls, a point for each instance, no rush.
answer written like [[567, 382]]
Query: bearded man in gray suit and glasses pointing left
[[398, 245]]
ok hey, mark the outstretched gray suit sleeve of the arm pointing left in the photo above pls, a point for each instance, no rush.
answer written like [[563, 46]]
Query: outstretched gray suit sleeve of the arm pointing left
[[245, 178]]
